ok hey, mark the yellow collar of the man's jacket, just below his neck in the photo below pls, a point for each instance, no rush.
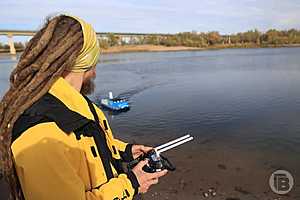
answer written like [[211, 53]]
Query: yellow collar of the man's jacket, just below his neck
[[66, 93]]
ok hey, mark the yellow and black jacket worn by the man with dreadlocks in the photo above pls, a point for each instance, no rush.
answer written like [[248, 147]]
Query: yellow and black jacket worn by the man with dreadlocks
[[64, 149]]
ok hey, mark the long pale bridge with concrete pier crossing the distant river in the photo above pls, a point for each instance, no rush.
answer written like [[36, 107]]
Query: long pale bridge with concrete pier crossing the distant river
[[101, 35]]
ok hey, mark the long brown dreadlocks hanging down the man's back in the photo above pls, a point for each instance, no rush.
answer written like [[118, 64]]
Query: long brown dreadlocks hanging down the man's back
[[50, 52]]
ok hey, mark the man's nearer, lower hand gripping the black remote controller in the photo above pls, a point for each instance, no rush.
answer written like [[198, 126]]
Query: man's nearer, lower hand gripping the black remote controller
[[146, 179]]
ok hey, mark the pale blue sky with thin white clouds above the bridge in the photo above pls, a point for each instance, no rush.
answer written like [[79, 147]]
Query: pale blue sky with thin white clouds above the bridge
[[156, 16]]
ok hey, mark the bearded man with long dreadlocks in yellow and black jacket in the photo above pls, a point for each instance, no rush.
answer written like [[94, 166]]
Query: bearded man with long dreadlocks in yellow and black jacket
[[55, 143]]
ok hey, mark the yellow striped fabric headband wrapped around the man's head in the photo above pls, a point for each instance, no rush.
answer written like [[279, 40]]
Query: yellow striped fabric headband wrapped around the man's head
[[89, 54]]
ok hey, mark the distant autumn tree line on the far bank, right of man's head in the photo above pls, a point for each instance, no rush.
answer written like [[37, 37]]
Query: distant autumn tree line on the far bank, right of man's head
[[195, 39]]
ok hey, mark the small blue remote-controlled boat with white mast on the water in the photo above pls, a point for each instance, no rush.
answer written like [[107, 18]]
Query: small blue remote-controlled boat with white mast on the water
[[115, 104]]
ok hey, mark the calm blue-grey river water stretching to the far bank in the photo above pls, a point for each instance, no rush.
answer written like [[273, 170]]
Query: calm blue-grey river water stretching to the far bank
[[246, 99]]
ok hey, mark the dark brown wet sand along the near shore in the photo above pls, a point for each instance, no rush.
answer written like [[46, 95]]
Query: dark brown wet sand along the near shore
[[230, 173]]
